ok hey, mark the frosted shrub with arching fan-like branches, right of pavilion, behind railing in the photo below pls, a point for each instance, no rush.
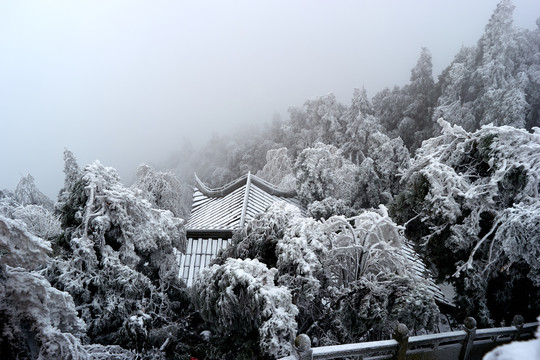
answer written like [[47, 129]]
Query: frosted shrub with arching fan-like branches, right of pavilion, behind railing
[[371, 284]]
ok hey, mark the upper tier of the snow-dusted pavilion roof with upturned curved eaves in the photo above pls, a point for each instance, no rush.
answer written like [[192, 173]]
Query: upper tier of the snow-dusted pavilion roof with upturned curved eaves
[[226, 209]]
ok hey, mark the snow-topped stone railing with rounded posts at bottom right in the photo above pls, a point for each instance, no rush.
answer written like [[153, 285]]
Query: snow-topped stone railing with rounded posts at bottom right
[[465, 344]]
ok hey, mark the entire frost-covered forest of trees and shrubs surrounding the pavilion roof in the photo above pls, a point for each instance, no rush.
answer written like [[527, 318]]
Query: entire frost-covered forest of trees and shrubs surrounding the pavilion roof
[[450, 165]]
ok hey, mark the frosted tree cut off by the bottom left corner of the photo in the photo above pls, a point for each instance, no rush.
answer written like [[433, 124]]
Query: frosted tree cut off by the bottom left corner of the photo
[[37, 319]]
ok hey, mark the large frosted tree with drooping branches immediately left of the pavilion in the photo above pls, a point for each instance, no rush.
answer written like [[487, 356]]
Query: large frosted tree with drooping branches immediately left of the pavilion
[[120, 267]]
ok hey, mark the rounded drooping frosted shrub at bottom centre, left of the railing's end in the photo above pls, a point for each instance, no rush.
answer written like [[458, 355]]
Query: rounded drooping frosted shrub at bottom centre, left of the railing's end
[[239, 298]]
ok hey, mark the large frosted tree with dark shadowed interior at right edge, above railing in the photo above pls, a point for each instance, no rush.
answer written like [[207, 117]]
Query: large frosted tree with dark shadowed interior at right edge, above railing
[[472, 202]]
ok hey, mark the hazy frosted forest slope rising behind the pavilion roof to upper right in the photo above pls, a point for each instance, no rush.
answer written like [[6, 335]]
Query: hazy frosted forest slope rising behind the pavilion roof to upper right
[[495, 82]]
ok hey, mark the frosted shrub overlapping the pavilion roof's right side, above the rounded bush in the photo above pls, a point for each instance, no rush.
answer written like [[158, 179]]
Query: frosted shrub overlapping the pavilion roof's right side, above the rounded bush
[[283, 239]]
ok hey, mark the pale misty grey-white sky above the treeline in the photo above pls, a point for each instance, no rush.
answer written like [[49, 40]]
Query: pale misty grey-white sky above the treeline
[[129, 81]]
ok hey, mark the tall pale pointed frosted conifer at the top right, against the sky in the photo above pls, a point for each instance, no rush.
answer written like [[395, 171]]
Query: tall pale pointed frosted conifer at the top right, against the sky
[[486, 84]]
